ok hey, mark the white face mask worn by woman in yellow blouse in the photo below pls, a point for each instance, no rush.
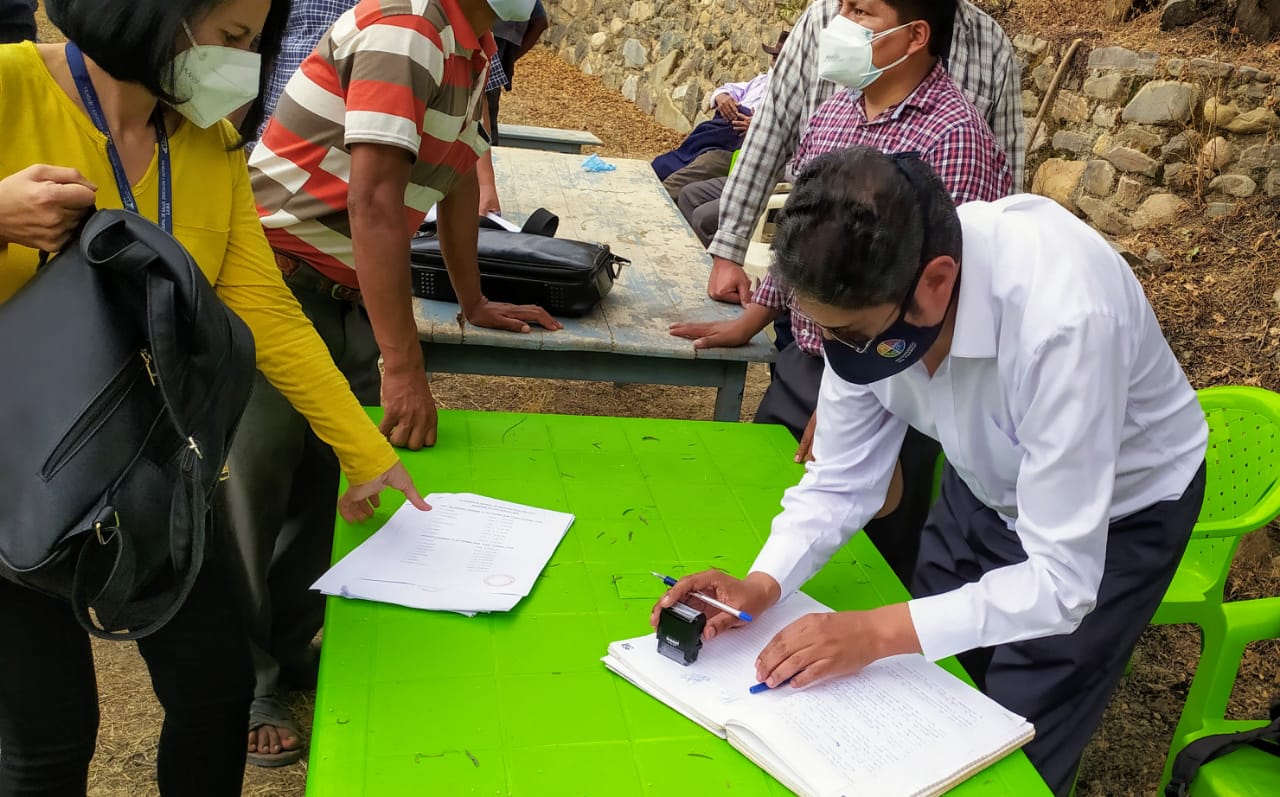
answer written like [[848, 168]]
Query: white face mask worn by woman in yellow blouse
[[216, 81]]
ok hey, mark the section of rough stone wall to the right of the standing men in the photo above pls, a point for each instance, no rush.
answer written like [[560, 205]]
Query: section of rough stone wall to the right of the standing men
[[1136, 134]]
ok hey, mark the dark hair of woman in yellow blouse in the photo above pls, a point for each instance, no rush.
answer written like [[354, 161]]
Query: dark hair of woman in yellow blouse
[[136, 42]]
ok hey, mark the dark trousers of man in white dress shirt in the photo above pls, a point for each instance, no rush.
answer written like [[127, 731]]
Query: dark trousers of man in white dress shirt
[[1062, 684]]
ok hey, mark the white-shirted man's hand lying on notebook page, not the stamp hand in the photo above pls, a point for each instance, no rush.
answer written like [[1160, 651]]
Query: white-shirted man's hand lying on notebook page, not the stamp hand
[[834, 644]]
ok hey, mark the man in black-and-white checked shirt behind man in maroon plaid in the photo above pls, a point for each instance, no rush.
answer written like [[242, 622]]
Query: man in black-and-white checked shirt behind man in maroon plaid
[[981, 61]]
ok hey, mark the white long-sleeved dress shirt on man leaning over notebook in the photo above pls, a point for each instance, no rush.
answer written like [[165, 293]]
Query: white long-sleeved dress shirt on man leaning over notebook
[[1060, 406]]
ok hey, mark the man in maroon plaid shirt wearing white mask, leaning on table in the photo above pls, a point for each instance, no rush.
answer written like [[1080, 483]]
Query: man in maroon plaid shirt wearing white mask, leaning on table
[[922, 111]]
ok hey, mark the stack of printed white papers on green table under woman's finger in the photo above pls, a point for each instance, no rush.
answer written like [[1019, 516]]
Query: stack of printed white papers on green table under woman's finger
[[468, 555]]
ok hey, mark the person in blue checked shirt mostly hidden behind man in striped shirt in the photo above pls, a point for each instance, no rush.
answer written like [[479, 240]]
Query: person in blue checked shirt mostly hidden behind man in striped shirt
[[309, 20]]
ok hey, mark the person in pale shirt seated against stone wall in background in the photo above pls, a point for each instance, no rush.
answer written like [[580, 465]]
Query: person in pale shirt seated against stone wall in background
[[708, 150]]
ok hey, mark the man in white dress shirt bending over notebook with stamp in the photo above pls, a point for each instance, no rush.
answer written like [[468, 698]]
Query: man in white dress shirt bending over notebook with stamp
[[1013, 335]]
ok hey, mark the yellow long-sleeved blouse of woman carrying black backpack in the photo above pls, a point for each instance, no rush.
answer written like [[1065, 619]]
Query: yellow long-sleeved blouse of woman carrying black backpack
[[217, 221]]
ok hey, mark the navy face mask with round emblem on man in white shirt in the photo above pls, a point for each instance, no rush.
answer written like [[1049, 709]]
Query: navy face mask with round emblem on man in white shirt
[[900, 346]]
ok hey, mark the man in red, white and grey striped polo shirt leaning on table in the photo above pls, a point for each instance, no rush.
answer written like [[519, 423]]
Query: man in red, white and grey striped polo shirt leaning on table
[[377, 126]]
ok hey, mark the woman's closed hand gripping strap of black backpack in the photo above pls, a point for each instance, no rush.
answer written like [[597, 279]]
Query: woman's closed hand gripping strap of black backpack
[[42, 205]]
